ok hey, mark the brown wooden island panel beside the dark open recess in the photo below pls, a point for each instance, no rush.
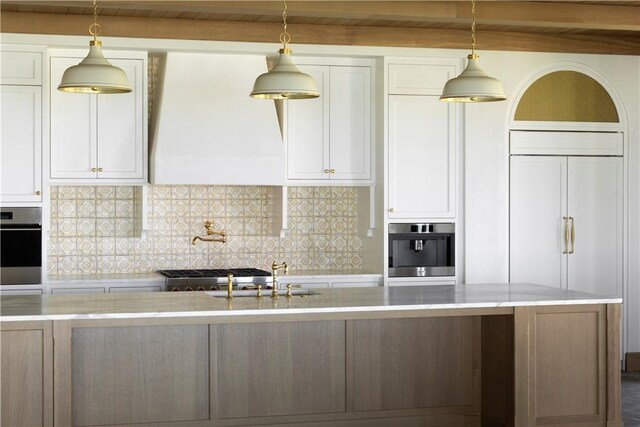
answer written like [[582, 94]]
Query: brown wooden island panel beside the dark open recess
[[423, 363]]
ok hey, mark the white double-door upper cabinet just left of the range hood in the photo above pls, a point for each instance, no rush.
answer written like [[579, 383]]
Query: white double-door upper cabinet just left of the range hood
[[100, 138]]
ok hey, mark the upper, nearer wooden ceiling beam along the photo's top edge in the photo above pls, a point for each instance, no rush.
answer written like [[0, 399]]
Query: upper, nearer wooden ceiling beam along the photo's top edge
[[544, 14]]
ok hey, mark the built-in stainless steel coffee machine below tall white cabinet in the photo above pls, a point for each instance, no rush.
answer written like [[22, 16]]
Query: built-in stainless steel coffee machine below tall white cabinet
[[420, 250]]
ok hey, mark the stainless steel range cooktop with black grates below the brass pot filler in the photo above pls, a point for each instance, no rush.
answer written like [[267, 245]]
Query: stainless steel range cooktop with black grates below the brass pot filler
[[214, 279]]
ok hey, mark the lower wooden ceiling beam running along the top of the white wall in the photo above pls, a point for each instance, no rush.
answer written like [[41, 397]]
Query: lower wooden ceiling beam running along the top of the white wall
[[183, 29]]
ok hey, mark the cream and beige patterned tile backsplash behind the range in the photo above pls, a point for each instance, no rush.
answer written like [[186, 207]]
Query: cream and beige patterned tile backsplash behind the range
[[93, 229]]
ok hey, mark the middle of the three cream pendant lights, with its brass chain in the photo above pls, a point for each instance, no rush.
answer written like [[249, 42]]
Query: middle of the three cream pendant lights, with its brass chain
[[284, 81]]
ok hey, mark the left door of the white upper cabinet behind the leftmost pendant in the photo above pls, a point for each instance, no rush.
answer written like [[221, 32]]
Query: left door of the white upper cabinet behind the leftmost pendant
[[73, 127]]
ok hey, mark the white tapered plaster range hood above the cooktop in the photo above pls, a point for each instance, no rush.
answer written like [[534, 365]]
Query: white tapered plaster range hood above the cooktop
[[207, 130]]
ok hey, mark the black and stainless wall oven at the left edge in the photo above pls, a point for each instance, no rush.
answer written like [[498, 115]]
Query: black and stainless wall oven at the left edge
[[20, 246]]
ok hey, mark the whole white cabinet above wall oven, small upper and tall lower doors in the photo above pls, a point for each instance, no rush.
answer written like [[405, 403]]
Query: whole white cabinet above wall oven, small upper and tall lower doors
[[21, 130]]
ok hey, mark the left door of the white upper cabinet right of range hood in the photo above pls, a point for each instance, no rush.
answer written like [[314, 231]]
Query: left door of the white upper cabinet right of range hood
[[308, 131]]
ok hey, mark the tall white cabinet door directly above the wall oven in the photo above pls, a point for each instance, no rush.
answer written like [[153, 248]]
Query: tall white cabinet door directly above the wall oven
[[21, 143]]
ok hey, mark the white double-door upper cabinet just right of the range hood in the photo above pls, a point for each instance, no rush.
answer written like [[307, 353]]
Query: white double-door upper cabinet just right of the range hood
[[329, 138]]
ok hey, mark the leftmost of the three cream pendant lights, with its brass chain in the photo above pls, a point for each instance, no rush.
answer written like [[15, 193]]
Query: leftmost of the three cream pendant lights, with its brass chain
[[94, 74]]
